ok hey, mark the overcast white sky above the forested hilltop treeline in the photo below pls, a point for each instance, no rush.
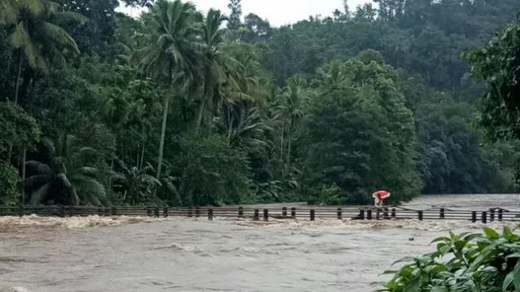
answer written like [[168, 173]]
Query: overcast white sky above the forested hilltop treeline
[[278, 12]]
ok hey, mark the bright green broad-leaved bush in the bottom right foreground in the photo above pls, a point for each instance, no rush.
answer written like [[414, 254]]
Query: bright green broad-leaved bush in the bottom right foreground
[[465, 262]]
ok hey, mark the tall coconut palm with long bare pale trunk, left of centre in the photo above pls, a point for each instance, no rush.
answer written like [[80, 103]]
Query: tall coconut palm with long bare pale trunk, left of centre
[[171, 51]]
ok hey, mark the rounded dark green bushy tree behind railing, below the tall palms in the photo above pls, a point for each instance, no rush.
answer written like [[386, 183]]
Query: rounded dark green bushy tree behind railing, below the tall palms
[[211, 172]]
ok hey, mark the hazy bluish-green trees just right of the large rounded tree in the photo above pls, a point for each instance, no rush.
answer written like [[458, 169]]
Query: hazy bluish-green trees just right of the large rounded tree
[[451, 159]]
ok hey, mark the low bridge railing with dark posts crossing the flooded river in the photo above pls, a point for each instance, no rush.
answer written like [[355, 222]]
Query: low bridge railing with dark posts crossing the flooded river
[[299, 213]]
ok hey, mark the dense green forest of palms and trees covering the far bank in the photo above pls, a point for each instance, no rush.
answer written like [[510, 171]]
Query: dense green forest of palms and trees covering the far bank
[[184, 107]]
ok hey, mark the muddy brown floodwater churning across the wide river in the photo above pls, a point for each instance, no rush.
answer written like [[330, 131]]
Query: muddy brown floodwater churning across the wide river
[[141, 254]]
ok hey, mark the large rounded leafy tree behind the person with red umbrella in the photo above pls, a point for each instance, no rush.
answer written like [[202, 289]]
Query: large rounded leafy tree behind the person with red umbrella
[[359, 135]]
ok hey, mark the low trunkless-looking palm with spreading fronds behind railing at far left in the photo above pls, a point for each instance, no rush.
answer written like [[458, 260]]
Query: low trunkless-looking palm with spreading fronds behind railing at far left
[[68, 177]]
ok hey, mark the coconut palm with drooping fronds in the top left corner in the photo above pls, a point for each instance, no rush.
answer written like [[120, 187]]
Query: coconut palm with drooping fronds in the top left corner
[[36, 34]]
